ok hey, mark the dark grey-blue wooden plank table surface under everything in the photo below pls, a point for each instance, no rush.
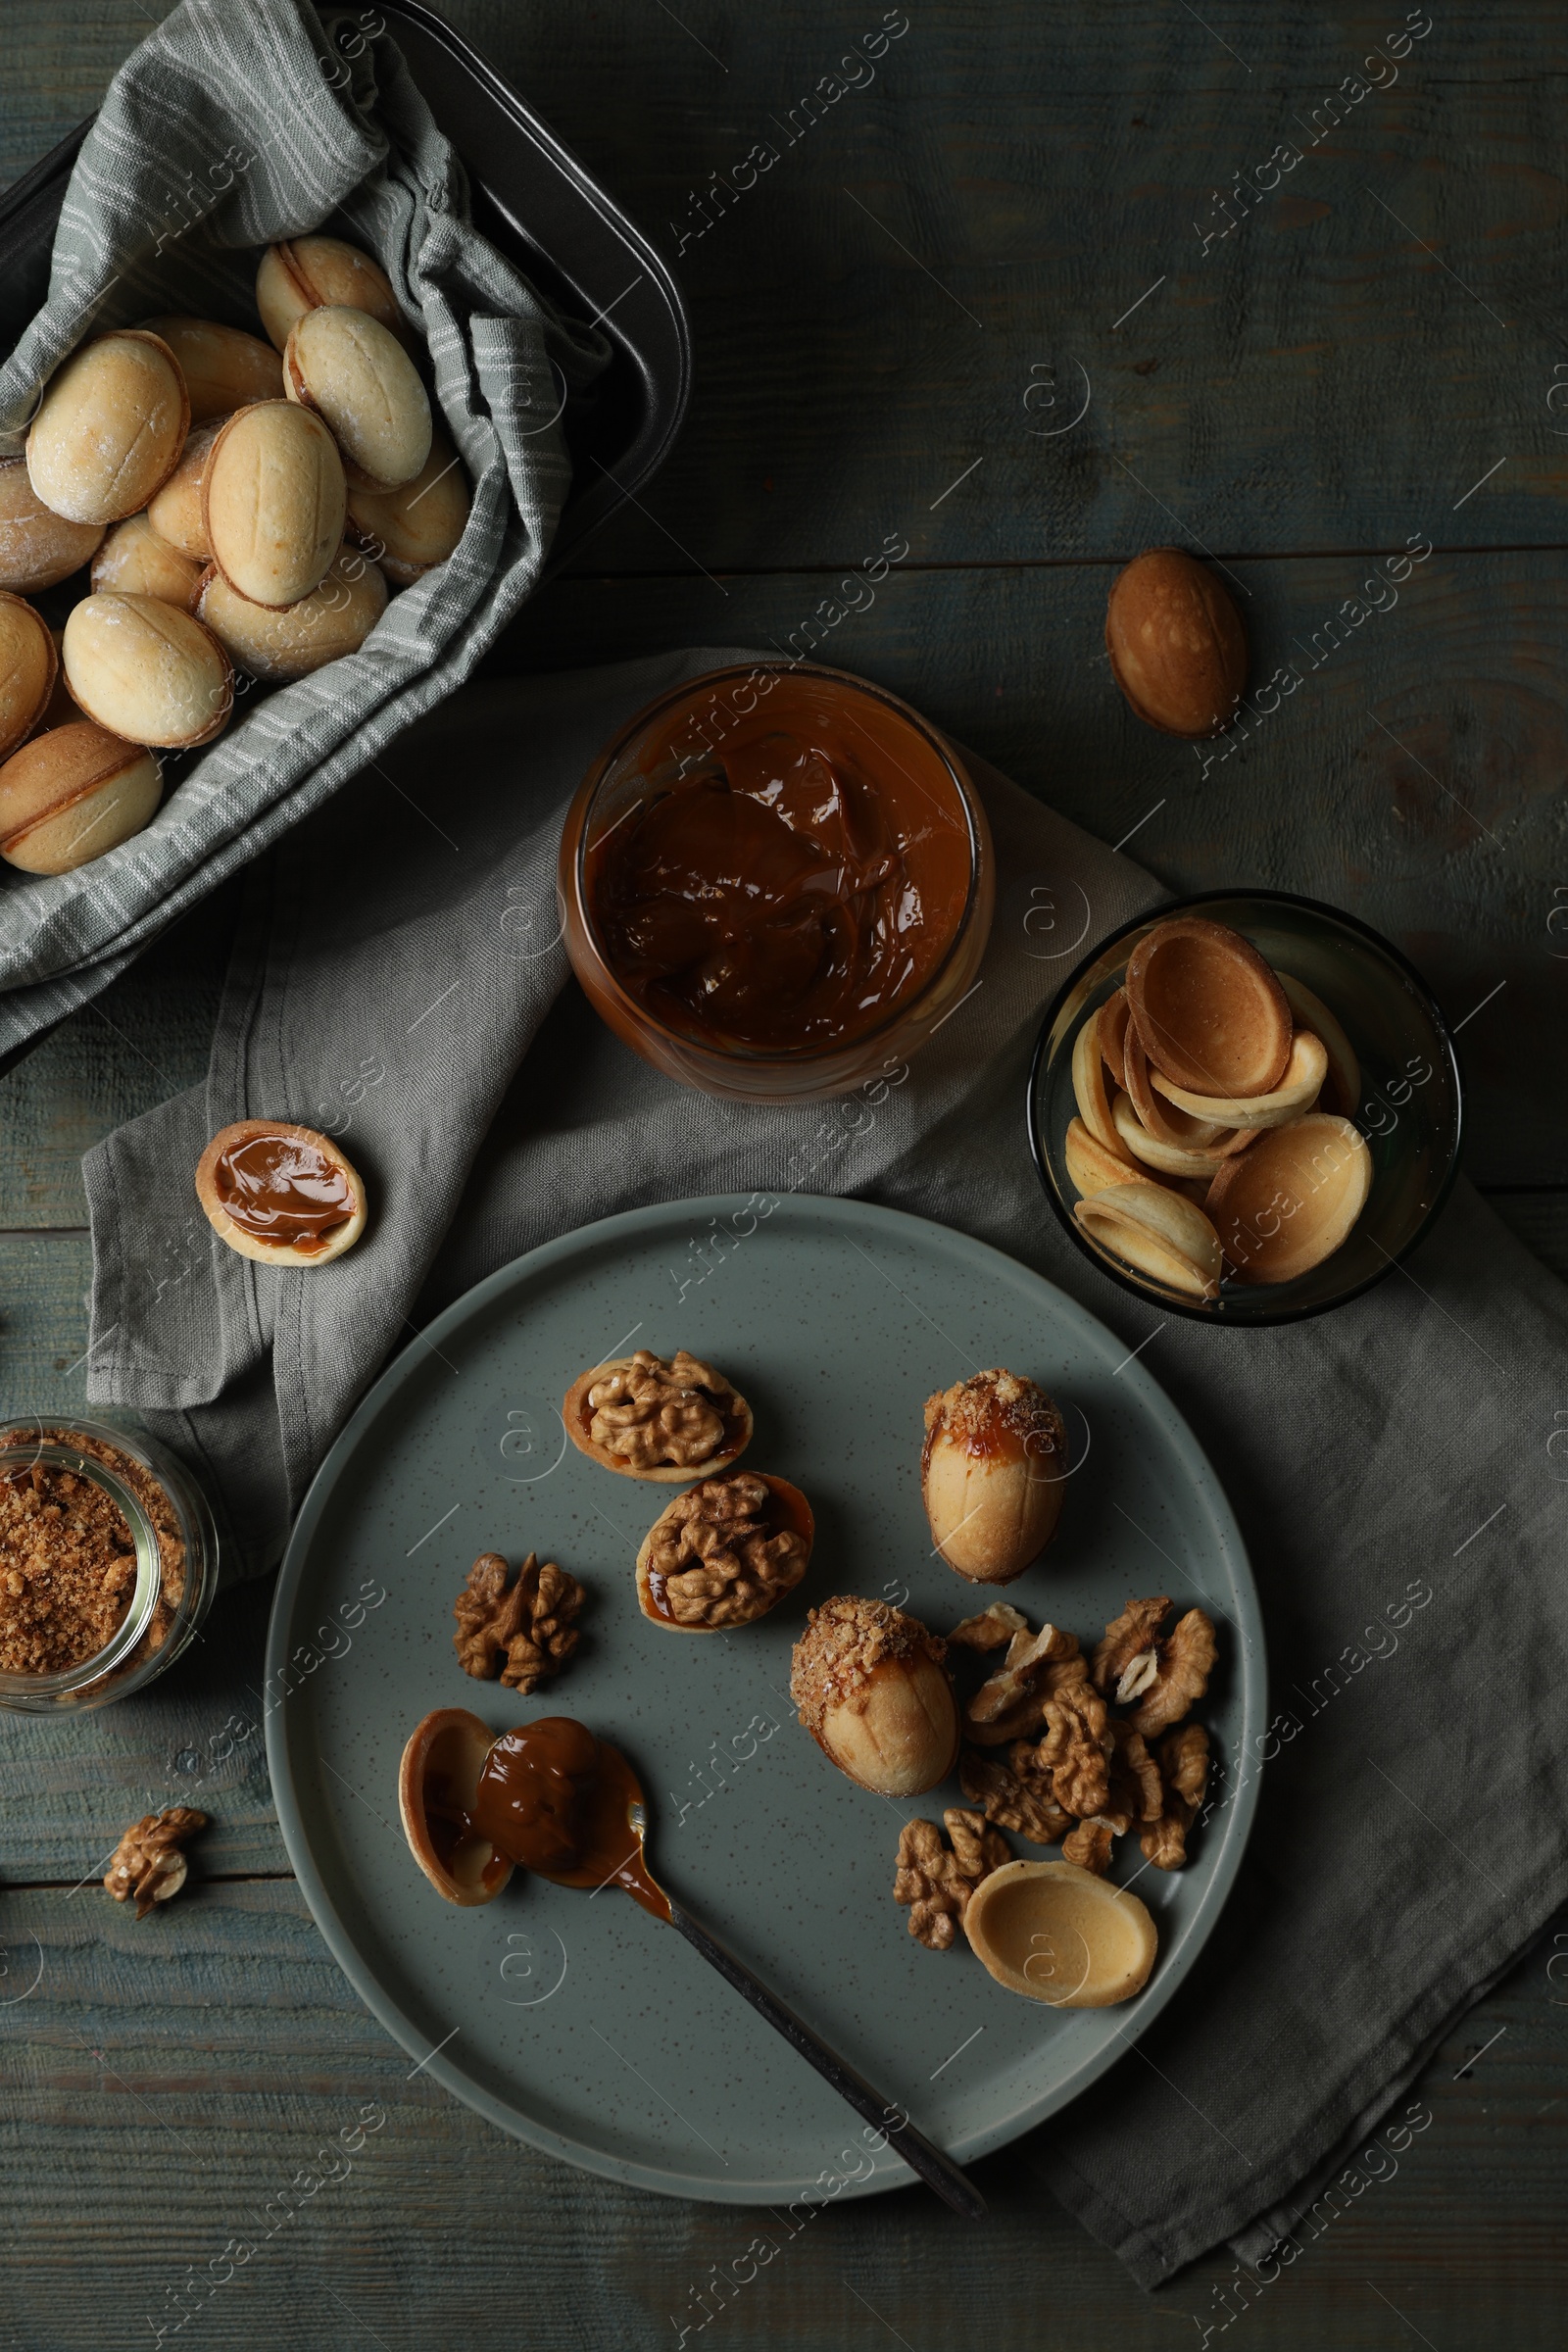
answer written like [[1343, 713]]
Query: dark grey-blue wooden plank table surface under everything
[[1005, 302]]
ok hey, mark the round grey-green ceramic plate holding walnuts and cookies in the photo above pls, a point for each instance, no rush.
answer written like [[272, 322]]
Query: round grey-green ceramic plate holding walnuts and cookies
[[582, 2024]]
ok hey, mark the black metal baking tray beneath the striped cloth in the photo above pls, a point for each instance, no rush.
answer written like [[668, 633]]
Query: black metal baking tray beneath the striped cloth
[[540, 206]]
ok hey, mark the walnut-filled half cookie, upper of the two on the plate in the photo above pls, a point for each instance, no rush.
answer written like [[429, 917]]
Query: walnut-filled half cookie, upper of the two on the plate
[[657, 1419]]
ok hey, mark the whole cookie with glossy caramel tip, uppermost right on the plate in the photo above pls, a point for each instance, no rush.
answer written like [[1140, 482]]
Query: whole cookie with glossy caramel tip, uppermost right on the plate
[[993, 1474]]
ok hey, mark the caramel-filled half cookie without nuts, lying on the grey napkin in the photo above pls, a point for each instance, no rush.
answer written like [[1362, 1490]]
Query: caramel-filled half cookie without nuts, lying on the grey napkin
[[281, 1194]]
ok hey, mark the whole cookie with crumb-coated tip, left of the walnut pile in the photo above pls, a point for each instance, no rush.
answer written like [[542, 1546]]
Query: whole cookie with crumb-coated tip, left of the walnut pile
[[876, 1697]]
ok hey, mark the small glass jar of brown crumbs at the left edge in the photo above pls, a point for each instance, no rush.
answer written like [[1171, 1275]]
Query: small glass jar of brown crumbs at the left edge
[[109, 1561]]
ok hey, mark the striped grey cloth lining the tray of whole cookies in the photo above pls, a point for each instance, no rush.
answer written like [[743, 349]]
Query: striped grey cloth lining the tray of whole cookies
[[225, 131]]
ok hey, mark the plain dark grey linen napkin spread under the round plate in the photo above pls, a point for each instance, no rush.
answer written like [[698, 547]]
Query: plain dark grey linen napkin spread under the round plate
[[1412, 1833]]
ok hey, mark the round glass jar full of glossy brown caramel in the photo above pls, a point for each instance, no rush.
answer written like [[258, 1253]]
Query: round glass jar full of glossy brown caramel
[[777, 881]]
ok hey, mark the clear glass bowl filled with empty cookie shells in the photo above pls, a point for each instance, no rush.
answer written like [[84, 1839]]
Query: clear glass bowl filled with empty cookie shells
[[1245, 1107]]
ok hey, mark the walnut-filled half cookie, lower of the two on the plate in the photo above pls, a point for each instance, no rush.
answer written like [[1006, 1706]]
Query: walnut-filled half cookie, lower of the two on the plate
[[725, 1553]]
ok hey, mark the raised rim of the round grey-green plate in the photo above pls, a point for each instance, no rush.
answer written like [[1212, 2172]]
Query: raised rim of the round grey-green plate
[[873, 1222]]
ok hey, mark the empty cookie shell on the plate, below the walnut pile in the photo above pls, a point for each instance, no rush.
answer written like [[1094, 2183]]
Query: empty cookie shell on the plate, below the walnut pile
[[1061, 1935]]
